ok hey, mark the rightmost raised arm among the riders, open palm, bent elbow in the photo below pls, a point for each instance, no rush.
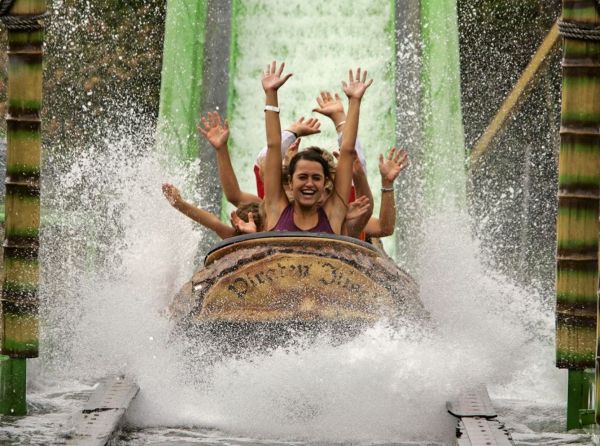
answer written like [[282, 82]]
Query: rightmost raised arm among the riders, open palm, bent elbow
[[389, 168]]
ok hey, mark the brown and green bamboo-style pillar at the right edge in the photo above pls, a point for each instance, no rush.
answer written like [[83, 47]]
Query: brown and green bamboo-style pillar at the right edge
[[579, 192]]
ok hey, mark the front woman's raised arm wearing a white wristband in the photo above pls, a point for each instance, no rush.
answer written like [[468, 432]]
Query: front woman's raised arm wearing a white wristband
[[275, 198]]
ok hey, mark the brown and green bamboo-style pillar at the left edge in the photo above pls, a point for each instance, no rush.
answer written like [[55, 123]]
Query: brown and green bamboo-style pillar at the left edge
[[19, 301]]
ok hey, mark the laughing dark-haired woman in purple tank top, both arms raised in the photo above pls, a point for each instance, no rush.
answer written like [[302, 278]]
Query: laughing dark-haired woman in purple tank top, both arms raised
[[308, 170]]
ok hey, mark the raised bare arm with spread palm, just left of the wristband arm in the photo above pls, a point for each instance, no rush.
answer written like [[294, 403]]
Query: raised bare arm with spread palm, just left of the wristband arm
[[216, 133]]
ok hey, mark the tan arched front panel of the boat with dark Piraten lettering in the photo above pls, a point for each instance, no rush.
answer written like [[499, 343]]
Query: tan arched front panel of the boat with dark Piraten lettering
[[294, 284]]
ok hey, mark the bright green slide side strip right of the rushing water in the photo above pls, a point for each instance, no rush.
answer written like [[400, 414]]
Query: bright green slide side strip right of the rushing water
[[443, 135]]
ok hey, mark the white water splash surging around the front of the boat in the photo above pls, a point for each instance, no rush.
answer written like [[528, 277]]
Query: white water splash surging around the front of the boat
[[384, 385]]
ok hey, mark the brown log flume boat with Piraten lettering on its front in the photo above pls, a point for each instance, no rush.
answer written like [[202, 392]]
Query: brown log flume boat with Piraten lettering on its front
[[258, 289]]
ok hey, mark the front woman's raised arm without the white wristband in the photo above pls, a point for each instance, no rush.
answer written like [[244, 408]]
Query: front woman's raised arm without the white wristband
[[337, 207]]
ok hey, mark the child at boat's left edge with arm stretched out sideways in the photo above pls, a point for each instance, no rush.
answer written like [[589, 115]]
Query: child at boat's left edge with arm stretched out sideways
[[246, 219]]
